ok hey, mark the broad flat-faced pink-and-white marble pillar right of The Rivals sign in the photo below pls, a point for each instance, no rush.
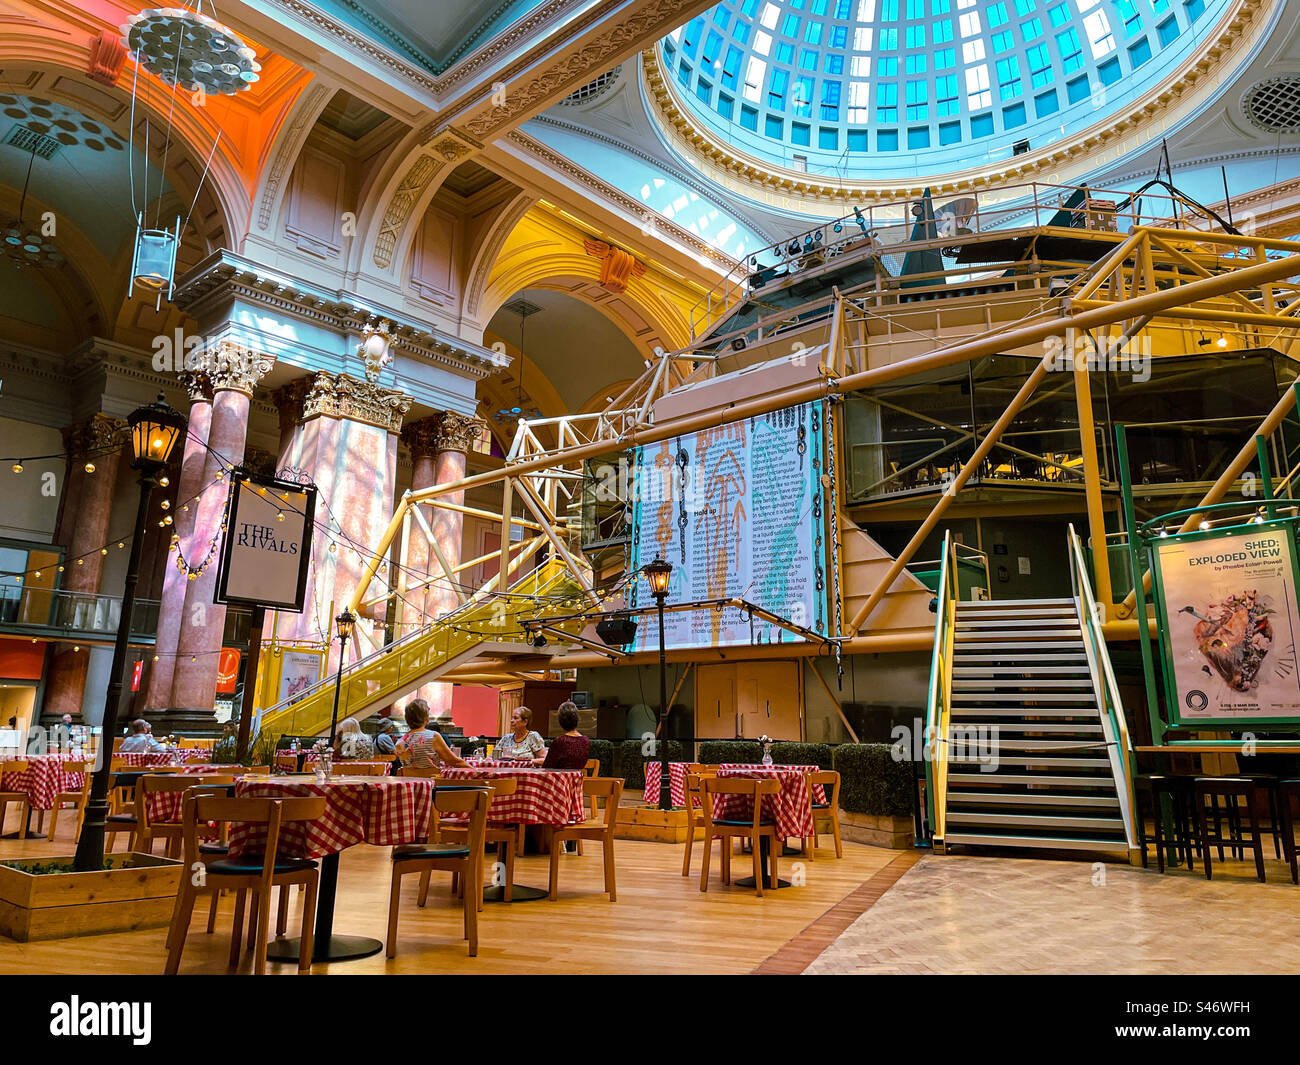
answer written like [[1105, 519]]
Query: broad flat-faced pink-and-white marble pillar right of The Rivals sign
[[346, 443]]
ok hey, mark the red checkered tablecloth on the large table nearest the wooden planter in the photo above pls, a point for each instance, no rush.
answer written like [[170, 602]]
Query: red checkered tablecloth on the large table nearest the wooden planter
[[382, 811]]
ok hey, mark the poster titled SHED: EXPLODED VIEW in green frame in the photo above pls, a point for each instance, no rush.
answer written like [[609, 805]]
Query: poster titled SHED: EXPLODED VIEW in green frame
[[1232, 624]]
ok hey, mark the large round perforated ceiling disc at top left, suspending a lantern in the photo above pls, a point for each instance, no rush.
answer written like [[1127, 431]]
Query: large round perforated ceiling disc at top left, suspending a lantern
[[190, 50]]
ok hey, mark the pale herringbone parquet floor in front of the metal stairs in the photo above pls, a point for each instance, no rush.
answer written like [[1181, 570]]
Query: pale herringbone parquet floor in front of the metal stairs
[[967, 915]]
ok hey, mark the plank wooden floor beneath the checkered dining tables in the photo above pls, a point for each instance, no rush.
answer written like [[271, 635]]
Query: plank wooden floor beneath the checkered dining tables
[[661, 924]]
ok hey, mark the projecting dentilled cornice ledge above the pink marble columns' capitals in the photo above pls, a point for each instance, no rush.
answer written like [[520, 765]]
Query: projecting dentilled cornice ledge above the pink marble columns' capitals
[[231, 276]]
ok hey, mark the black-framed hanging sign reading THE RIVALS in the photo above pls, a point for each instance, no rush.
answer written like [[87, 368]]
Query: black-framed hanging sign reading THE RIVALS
[[268, 543]]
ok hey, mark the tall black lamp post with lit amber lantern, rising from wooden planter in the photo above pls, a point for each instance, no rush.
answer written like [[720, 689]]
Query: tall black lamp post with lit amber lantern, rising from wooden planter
[[155, 431]]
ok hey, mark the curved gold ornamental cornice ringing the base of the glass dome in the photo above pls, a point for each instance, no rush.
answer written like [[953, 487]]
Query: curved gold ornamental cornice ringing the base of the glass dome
[[762, 179]]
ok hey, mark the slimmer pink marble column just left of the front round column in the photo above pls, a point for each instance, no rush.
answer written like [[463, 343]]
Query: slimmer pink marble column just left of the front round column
[[175, 585]]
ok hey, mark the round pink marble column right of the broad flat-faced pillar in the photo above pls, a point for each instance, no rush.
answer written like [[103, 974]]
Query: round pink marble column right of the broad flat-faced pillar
[[439, 448]]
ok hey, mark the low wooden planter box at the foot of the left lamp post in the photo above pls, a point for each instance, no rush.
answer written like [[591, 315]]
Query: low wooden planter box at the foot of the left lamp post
[[137, 893]]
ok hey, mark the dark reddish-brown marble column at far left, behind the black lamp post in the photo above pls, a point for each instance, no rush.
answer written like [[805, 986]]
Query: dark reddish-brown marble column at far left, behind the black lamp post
[[85, 518]]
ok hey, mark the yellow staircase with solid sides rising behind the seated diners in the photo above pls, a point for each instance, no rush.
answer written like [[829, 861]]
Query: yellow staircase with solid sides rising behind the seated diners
[[402, 666]]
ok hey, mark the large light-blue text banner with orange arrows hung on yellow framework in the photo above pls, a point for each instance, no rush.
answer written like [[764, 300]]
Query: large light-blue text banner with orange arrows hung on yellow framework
[[739, 512]]
